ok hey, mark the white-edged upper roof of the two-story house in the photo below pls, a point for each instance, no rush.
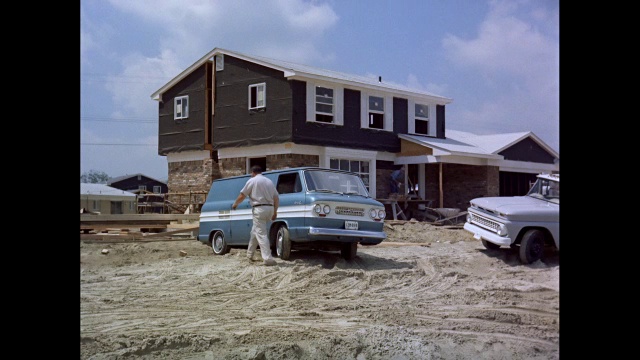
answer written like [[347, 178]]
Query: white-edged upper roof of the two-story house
[[294, 71]]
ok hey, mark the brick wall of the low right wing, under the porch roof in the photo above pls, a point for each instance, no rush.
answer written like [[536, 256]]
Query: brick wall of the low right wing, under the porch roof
[[461, 183]]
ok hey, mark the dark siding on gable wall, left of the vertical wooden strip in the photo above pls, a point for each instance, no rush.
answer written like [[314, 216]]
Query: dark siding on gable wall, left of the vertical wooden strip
[[183, 134]]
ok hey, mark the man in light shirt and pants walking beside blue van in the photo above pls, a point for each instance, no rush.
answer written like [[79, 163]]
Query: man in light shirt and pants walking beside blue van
[[264, 200]]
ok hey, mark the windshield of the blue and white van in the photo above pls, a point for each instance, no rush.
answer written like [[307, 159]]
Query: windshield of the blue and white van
[[335, 182]]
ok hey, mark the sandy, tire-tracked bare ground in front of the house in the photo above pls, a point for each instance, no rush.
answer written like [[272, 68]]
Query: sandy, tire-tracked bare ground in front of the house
[[427, 292]]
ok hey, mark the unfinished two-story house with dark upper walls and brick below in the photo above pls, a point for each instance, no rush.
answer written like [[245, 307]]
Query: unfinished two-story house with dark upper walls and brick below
[[229, 111]]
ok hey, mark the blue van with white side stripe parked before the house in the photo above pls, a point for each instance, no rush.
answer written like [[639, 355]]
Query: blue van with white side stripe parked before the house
[[320, 209]]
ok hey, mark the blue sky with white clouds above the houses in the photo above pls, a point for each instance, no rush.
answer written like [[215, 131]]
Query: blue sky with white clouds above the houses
[[498, 60]]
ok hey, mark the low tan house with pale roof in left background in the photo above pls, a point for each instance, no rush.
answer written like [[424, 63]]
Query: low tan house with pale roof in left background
[[104, 199]]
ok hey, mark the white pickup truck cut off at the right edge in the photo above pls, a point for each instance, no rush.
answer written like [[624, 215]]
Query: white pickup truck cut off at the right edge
[[526, 223]]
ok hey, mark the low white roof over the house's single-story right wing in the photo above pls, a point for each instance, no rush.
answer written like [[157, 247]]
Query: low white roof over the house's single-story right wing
[[469, 144]]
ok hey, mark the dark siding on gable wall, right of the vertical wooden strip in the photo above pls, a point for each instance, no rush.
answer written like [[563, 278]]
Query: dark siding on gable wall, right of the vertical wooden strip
[[234, 125]]
